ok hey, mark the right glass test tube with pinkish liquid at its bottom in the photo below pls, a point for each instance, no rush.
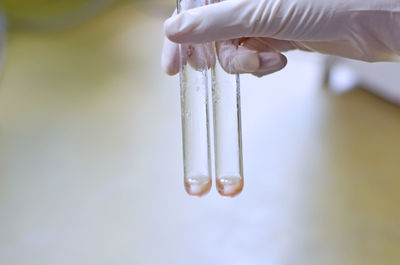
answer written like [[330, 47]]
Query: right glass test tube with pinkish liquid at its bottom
[[227, 132]]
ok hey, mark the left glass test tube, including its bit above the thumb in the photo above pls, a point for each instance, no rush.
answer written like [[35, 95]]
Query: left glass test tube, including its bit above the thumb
[[194, 113]]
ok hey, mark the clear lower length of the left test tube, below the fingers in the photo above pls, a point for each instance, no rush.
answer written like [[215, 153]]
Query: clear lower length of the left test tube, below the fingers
[[195, 131]]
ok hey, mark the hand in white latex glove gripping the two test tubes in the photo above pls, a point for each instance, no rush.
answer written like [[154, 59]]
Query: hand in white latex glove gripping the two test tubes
[[252, 33]]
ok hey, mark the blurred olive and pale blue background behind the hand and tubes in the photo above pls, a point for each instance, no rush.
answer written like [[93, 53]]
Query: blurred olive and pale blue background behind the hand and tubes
[[91, 164]]
